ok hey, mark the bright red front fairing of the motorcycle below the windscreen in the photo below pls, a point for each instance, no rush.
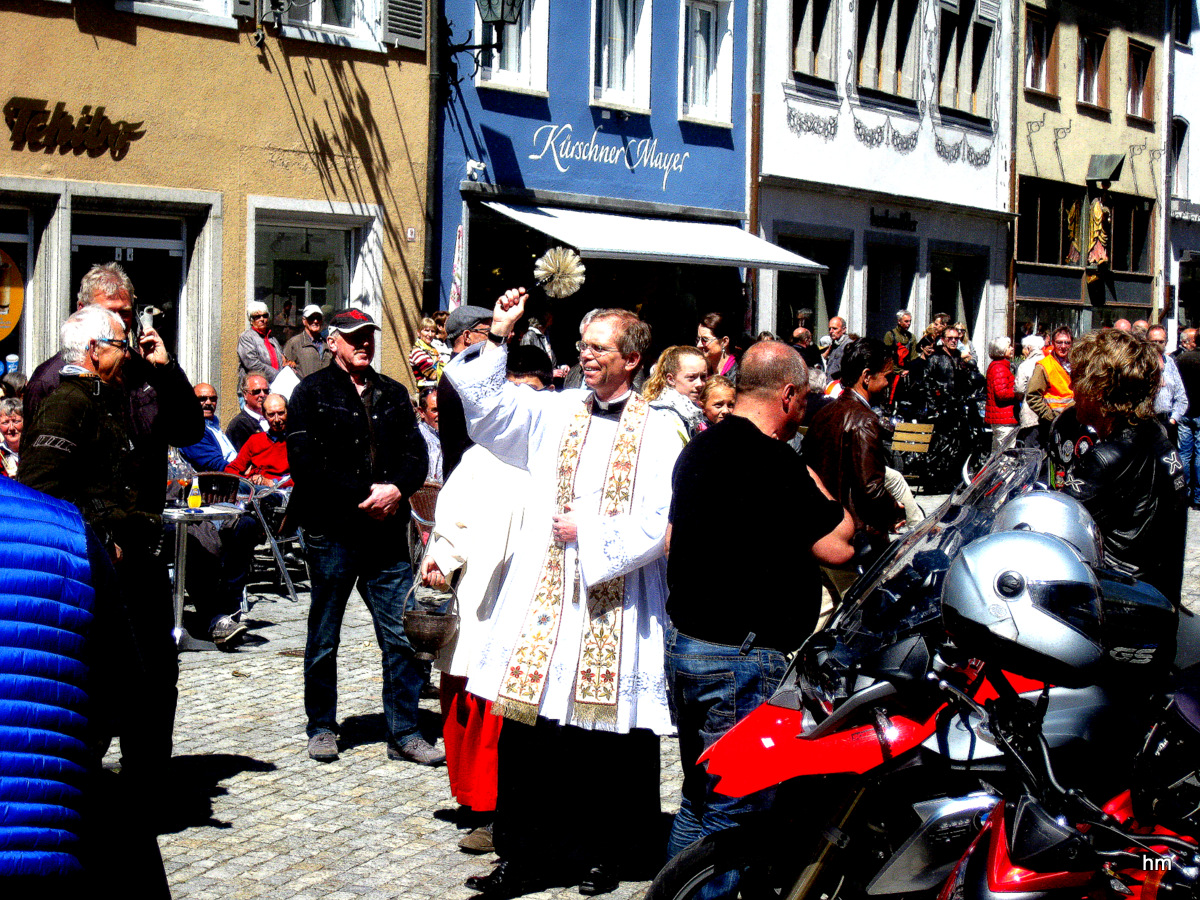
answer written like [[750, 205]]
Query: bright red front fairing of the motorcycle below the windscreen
[[767, 748]]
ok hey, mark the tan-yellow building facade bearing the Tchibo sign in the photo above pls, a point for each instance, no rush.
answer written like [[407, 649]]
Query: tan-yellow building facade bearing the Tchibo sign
[[221, 157]]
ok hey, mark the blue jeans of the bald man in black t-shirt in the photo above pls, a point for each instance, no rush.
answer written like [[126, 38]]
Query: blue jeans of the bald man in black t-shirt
[[712, 687]]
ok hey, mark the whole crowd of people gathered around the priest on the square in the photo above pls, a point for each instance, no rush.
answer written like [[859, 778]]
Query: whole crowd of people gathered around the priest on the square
[[575, 519]]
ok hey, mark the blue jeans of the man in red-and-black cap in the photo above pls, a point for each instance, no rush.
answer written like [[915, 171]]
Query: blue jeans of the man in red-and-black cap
[[383, 575]]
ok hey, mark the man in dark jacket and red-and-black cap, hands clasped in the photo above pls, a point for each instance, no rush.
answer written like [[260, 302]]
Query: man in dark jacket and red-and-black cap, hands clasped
[[357, 458]]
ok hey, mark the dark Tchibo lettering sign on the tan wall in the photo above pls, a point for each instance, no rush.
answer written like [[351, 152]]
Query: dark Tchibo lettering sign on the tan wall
[[33, 125]]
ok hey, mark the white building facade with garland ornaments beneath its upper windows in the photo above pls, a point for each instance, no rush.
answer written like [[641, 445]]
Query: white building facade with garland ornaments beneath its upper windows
[[886, 157]]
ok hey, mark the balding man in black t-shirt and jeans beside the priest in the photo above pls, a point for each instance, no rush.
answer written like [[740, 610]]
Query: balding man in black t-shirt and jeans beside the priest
[[734, 617]]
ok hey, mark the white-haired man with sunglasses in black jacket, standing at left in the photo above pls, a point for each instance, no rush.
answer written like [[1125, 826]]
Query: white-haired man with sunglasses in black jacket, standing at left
[[79, 448]]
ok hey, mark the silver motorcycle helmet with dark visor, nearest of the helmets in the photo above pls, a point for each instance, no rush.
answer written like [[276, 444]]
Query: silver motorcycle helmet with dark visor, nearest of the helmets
[[1028, 603]]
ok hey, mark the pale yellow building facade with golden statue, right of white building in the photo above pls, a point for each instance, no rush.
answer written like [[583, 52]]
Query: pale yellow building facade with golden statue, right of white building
[[1090, 165]]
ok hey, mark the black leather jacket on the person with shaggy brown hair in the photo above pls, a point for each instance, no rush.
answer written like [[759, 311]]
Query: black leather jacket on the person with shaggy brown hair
[[1135, 487]]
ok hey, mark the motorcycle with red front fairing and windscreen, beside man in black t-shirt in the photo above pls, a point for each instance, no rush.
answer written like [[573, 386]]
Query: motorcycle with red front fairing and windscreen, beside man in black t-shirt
[[857, 728]]
